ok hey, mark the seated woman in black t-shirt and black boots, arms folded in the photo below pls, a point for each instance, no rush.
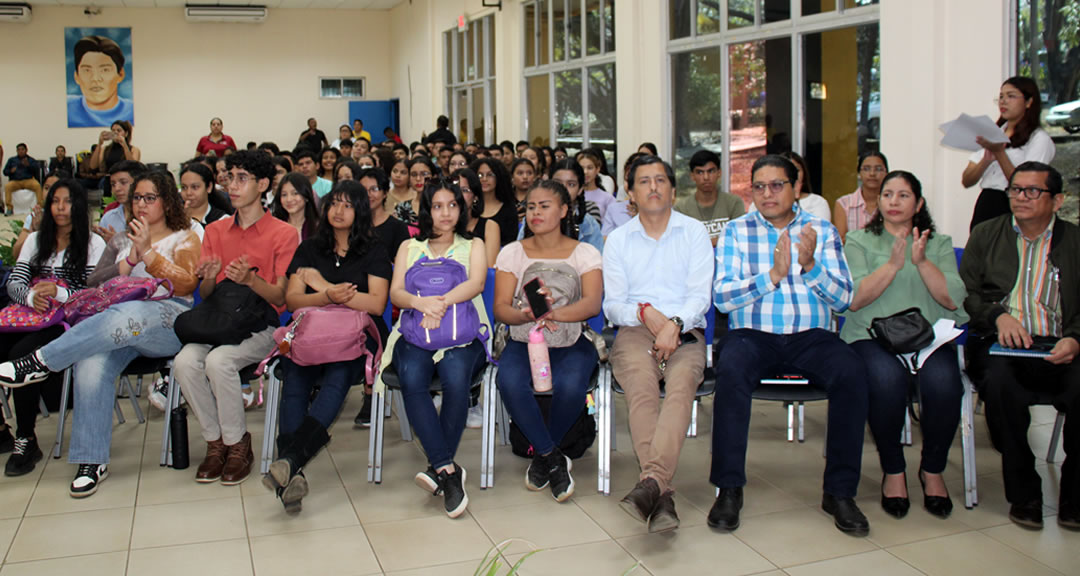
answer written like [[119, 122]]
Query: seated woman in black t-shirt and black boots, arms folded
[[343, 265]]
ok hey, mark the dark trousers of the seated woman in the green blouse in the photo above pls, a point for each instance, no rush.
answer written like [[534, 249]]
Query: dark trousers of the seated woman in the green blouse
[[940, 396]]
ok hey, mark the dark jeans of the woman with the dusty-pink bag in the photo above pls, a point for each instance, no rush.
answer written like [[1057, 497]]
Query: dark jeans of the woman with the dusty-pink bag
[[334, 381]]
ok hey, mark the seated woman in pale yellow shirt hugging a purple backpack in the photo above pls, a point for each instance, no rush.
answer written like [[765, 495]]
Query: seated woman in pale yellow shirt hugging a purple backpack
[[443, 237]]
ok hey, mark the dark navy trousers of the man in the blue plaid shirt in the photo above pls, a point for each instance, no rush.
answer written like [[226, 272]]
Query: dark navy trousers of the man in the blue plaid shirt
[[748, 356]]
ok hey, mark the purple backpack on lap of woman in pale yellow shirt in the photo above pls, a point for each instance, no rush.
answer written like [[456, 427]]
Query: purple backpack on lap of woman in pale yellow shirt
[[461, 326]]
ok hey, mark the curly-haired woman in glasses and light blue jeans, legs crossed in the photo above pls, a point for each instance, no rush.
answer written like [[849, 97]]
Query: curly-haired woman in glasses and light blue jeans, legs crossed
[[159, 245]]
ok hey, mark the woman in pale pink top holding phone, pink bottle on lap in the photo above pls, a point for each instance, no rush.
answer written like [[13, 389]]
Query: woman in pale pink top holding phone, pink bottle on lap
[[549, 243]]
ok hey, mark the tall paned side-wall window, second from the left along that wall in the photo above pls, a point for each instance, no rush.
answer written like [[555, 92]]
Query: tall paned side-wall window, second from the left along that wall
[[573, 105]]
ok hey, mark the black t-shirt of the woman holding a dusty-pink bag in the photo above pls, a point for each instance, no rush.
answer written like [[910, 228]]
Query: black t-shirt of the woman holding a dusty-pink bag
[[352, 269]]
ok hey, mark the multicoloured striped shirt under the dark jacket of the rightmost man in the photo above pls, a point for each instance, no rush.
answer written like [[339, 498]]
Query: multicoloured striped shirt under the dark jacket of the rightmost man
[[1036, 299]]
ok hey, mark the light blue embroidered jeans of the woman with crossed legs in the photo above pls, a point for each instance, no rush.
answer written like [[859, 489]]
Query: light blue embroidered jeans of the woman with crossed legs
[[101, 347]]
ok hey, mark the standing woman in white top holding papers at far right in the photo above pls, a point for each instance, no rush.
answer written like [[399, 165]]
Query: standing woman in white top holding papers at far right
[[992, 168]]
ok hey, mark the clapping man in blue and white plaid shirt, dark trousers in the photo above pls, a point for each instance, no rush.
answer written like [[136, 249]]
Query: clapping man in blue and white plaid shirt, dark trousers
[[780, 275]]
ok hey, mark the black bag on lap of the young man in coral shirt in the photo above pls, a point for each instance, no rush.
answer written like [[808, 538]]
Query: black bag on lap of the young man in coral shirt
[[228, 317]]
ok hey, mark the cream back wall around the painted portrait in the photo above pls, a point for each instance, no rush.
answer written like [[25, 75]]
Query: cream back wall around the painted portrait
[[261, 79]]
